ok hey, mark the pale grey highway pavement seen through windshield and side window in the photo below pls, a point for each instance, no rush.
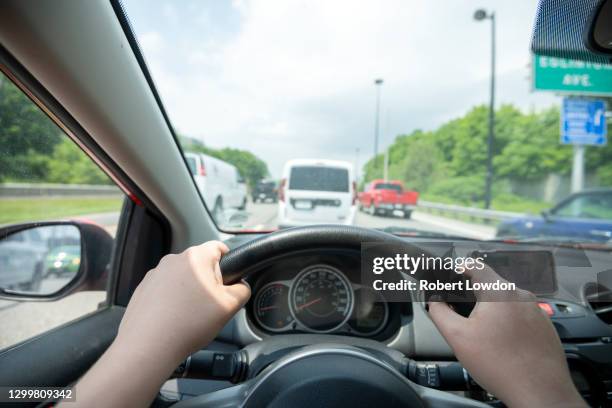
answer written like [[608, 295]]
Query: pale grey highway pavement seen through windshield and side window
[[22, 320]]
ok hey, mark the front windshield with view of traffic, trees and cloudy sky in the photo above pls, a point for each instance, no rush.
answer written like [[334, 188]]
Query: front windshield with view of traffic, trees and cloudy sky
[[382, 93]]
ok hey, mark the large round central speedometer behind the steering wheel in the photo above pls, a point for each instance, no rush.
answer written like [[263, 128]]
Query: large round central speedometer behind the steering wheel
[[321, 298]]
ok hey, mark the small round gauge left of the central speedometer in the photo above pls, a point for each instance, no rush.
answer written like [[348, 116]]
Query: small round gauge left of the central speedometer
[[272, 307]]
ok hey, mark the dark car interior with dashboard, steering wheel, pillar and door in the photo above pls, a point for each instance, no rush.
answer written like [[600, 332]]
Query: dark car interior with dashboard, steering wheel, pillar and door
[[80, 62]]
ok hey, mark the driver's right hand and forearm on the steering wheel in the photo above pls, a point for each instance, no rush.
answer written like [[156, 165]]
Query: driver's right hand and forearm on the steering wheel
[[509, 347]]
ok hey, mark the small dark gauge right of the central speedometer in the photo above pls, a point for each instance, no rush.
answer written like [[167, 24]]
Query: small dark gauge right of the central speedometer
[[370, 313]]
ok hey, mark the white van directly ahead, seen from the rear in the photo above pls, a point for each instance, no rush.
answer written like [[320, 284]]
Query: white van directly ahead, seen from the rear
[[314, 191]]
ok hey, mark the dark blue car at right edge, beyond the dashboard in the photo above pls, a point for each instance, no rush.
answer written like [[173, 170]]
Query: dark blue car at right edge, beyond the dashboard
[[581, 216]]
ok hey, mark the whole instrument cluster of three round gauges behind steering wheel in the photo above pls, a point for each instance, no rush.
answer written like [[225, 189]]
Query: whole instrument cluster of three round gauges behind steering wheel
[[319, 298]]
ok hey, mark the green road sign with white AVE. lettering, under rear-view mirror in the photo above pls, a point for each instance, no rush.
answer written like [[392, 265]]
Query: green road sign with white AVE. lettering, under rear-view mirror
[[571, 76]]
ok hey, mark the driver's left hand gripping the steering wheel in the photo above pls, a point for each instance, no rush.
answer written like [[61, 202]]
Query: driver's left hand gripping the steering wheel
[[182, 303]]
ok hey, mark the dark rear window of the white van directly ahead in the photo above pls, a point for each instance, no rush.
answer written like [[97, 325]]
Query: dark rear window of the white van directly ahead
[[319, 179]]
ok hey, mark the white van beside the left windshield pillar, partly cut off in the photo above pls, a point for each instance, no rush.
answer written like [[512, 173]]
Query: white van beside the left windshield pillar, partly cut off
[[219, 182]]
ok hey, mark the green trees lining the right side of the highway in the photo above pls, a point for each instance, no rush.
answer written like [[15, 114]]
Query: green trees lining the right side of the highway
[[449, 163]]
